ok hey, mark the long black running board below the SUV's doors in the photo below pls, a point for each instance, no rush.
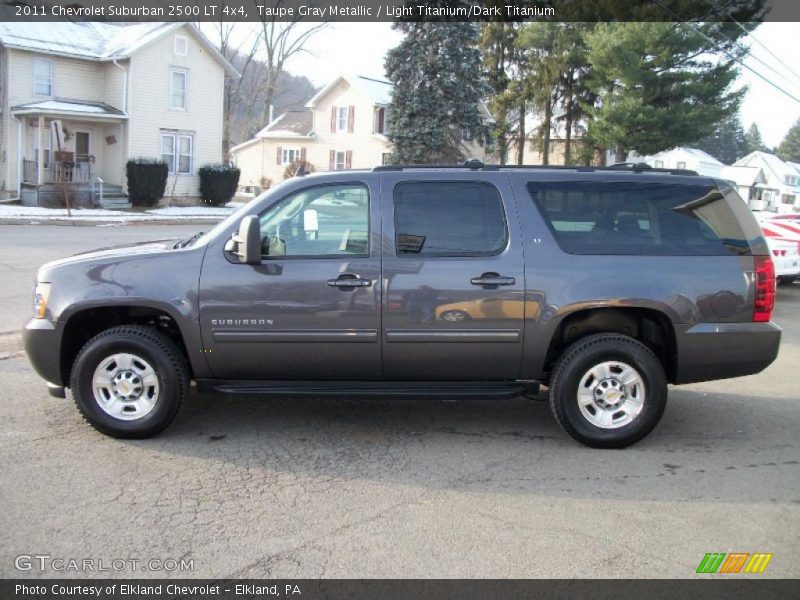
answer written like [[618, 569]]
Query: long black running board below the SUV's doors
[[302, 389]]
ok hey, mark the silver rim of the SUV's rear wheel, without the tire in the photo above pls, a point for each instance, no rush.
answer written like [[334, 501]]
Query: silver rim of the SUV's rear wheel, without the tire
[[611, 394]]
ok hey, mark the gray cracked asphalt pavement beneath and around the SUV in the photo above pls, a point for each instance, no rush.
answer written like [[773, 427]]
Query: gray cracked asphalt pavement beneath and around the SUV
[[382, 488]]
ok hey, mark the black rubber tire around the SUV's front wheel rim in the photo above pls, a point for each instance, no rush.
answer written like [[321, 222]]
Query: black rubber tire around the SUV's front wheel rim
[[151, 345]]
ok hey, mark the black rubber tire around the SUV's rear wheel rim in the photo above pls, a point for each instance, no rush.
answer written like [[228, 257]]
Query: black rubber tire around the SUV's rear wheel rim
[[582, 356]]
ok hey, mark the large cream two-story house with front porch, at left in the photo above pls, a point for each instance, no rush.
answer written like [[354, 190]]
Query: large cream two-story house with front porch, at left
[[106, 93]]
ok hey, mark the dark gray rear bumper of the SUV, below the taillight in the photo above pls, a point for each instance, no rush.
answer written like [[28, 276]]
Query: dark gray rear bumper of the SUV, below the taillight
[[708, 351]]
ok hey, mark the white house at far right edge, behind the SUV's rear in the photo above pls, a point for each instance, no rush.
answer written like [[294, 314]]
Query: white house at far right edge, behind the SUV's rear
[[780, 192]]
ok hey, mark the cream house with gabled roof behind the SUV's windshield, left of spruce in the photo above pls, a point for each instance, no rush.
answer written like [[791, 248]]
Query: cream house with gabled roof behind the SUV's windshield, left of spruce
[[342, 127]]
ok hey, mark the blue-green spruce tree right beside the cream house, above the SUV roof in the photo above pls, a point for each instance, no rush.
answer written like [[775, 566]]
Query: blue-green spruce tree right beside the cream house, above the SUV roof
[[438, 80]]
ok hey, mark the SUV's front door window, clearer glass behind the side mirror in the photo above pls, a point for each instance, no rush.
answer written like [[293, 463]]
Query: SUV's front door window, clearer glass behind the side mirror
[[329, 220]]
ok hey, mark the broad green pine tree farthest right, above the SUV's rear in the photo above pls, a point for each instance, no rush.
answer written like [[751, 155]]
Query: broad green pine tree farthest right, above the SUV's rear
[[661, 85]]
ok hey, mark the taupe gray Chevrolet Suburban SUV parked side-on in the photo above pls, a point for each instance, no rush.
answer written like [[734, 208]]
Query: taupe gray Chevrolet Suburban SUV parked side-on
[[603, 284]]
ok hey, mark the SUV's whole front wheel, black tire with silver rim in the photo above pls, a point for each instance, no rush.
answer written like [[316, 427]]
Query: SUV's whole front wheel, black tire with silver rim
[[129, 381]]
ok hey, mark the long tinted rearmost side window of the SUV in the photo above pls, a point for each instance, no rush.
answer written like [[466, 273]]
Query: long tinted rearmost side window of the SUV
[[639, 218]]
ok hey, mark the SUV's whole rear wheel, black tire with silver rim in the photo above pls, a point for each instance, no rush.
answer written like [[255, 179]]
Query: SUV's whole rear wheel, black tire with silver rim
[[608, 391]]
